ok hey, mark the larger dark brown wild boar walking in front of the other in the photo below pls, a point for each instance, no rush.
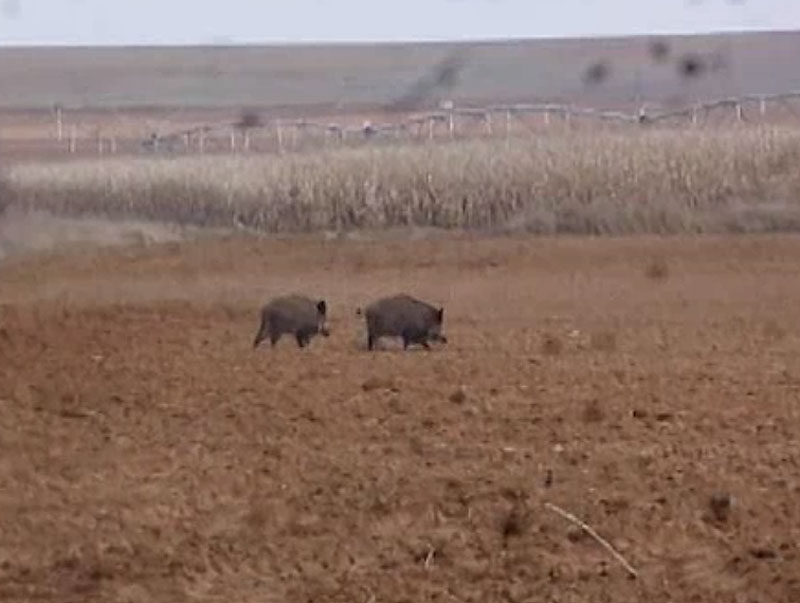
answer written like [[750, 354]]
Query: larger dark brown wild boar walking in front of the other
[[404, 316]]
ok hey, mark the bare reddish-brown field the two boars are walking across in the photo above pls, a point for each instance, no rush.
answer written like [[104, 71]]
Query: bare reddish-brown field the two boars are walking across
[[147, 453]]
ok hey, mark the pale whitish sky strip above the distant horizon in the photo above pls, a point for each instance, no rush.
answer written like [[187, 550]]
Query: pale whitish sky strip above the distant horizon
[[133, 22]]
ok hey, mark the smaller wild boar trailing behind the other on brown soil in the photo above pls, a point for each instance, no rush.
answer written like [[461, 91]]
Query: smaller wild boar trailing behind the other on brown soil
[[297, 315]]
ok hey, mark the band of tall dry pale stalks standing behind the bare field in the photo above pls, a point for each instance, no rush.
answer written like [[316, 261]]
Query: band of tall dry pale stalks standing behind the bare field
[[654, 181]]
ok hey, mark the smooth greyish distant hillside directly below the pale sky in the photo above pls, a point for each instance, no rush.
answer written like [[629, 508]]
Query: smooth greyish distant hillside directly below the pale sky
[[346, 75]]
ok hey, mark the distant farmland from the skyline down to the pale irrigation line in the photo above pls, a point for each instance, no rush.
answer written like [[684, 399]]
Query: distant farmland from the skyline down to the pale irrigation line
[[130, 93]]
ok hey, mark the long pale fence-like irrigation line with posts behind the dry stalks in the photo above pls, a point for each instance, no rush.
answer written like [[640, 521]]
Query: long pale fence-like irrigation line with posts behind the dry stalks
[[250, 134]]
